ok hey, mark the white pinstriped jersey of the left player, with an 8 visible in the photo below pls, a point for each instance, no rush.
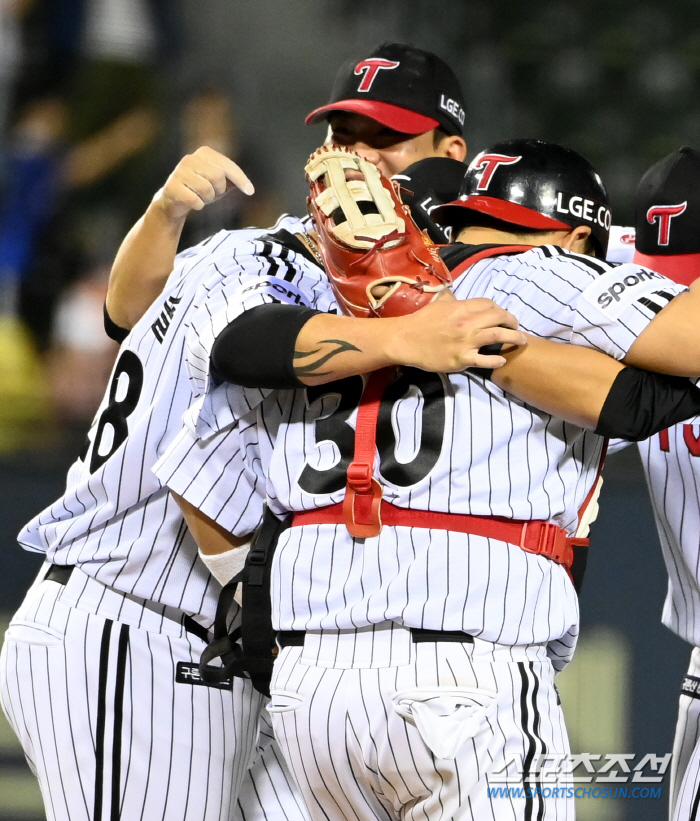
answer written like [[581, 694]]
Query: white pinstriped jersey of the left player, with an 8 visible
[[115, 520]]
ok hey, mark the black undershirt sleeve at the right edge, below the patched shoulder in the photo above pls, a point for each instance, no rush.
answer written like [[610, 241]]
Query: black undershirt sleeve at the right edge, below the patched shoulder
[[641, 403]]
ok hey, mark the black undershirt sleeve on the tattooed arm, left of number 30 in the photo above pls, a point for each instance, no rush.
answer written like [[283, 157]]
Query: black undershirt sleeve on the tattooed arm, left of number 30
[[256, 350]]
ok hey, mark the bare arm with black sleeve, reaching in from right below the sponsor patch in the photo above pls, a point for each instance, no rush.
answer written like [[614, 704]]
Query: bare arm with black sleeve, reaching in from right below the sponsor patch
[[595, 391]]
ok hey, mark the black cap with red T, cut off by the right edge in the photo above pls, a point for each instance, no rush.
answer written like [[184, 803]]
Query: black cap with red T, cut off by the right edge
[[667, 217]]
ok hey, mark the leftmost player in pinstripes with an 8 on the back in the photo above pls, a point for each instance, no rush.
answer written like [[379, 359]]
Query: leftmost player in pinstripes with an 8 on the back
[[126, 588]]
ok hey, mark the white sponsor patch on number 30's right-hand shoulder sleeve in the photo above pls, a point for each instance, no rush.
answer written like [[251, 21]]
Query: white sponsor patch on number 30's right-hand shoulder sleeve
[[617, 289]]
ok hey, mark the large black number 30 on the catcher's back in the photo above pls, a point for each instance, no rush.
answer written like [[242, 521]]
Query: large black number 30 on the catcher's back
[[335, 428]]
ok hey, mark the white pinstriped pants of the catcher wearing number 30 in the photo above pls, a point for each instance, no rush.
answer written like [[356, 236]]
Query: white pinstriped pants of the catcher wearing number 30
[[375, 726]]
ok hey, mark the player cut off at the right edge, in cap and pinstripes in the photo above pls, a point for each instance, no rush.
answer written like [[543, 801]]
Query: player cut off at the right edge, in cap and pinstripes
[[665, 239]]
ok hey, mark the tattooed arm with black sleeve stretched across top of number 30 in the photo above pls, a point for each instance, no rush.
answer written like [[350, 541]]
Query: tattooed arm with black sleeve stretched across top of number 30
[[285, 346]]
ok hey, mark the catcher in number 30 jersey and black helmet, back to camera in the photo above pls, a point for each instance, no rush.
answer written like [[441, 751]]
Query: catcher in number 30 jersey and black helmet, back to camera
[[427, 640]]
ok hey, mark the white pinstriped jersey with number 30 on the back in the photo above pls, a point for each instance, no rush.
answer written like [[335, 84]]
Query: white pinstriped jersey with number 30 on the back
[[456, 444]]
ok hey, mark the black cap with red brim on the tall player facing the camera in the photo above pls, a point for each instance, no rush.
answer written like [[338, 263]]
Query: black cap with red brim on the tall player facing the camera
[[400, 86]]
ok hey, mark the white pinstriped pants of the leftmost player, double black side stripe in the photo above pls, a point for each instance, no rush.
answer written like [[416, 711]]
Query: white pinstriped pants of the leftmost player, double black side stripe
[[104, 695]]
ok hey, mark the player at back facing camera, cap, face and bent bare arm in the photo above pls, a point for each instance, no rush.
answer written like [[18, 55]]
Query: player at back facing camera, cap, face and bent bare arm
[[396, 106]]
